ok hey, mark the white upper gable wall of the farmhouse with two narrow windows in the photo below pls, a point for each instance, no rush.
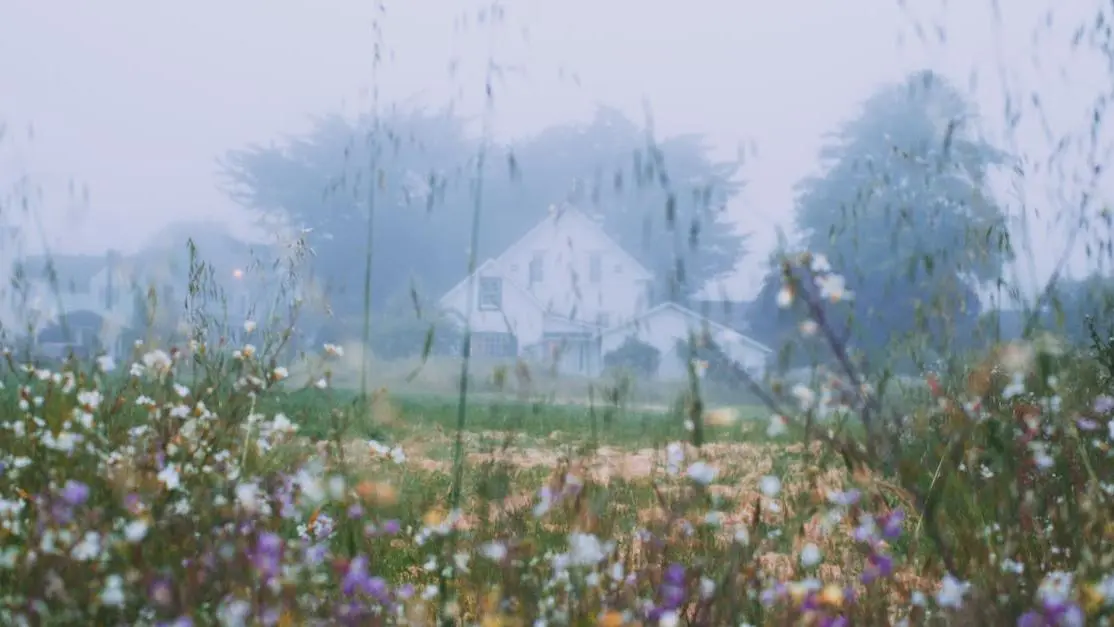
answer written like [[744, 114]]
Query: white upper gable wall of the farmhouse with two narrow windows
[[565, 248]]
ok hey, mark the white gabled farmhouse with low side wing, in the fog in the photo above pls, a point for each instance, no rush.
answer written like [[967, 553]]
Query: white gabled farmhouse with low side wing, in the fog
[[568, 293]]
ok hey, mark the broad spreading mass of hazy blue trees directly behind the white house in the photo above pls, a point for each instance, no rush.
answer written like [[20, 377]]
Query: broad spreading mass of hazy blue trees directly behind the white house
[[661, 201]]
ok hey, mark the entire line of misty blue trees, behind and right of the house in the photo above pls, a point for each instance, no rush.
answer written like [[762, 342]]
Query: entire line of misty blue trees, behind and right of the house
[[901, 208]]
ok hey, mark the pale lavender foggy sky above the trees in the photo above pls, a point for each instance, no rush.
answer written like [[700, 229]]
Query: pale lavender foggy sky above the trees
[[135, 101]]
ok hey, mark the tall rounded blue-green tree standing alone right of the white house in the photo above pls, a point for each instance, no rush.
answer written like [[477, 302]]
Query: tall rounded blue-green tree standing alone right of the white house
[[902, 210]]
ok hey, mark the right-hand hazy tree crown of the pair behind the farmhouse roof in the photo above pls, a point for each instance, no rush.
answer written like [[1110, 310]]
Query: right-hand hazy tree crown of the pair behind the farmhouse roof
[[662, 201]]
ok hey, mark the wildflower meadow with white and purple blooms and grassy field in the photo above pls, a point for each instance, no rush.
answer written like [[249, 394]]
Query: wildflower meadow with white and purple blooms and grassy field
[[208, 485]]
